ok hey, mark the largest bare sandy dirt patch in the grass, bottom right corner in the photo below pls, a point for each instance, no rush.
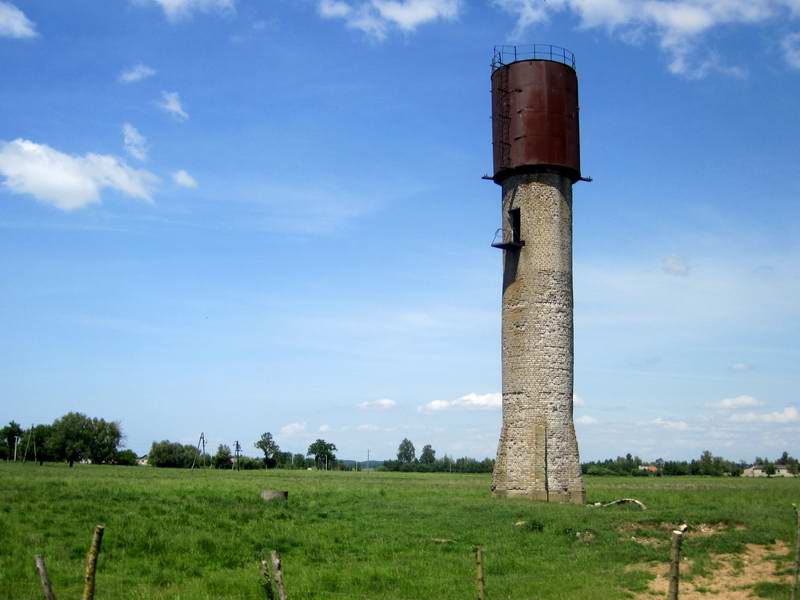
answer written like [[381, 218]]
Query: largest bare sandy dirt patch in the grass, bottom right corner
[[734, 575]]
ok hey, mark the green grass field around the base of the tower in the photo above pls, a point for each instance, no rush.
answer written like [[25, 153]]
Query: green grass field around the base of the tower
[[196, 535]]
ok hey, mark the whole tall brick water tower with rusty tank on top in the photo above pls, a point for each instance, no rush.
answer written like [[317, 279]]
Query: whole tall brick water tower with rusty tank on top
[[536, 161]]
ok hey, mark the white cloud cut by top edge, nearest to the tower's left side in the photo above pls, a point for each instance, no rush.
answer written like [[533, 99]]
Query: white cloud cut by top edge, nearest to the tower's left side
[[376, 17]]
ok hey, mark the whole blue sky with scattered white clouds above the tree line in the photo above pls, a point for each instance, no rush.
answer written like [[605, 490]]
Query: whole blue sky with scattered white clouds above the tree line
[[237, 216]]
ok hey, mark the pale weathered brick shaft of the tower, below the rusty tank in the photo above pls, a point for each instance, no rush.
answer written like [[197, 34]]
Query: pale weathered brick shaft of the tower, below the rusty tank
[[537, 455]]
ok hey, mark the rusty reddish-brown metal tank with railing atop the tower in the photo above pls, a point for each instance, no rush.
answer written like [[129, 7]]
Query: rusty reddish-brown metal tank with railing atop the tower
[[535, 111]]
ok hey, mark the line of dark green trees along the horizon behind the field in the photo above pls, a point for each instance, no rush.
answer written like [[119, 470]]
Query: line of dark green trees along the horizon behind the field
[[74, 437]]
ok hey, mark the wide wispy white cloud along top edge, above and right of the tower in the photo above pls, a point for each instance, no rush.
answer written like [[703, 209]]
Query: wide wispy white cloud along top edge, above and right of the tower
[[677, 25]]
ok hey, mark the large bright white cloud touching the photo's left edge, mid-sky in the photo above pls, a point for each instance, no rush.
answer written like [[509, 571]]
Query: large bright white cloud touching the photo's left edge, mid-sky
[[65, 181]]
